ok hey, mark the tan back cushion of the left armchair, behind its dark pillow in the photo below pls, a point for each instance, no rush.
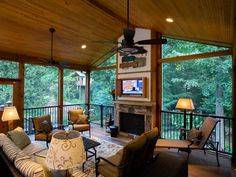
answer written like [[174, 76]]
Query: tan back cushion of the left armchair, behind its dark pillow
[[37, 122]]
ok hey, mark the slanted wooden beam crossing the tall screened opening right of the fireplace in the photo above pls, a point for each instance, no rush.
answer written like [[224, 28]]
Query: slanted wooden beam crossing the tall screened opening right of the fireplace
[[196, 56]]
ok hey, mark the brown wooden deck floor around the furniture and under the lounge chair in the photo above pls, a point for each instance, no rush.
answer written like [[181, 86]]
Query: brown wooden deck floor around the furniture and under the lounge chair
[[199, 164]]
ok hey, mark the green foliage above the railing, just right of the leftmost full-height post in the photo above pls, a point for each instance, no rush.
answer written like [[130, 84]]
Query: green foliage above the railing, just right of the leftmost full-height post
[[41, 86]]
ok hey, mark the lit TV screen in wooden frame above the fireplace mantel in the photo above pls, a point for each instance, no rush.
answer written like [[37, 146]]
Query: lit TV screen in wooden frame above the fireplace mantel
[[132, 87]]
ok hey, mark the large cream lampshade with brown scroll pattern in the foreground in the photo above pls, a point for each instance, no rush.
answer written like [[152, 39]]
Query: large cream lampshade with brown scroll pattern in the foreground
[[65, 151]]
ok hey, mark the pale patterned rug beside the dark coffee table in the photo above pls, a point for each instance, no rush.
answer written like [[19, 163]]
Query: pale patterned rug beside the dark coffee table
[[104, 150]]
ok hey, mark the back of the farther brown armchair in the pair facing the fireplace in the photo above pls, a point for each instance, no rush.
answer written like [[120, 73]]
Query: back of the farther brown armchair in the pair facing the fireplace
[[152, 137]]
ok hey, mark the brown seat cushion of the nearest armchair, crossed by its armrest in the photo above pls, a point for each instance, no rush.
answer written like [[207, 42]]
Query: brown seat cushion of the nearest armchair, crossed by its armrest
[[108, 170]]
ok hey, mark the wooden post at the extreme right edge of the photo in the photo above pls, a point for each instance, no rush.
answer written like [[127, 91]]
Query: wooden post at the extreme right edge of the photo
[[234, 96]]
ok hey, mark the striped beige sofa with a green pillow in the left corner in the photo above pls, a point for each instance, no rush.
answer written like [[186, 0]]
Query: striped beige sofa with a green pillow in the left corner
[[20, 155]]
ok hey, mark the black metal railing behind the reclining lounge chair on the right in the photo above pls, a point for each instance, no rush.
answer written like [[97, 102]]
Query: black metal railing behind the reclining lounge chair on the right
[[172, 122]]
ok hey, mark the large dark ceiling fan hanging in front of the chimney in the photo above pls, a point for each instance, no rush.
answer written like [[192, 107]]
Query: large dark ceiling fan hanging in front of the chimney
[[129, 47]]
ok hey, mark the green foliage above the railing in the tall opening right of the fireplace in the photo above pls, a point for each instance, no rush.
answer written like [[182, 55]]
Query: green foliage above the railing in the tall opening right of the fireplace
[[207, 81]]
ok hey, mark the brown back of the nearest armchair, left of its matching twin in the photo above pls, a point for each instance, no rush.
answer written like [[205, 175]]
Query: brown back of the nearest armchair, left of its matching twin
[[135, 157]]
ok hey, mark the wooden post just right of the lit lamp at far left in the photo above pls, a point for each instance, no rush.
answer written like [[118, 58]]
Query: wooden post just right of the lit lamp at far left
[[21, 85]]
